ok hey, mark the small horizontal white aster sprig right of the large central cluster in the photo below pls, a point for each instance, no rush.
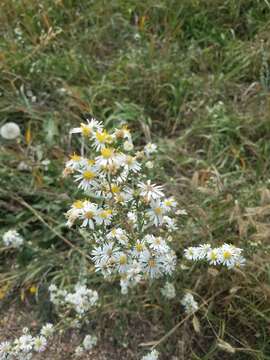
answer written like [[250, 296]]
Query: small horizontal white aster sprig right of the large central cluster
[[227, 255]]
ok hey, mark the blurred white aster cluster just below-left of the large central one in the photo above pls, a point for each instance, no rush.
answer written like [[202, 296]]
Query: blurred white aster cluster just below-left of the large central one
[[81, 300]]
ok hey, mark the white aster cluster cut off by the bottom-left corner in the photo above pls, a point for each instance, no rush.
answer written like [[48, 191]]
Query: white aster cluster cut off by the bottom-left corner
[[24, 347]]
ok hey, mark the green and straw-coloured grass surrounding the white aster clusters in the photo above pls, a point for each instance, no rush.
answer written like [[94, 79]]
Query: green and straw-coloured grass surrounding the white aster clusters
[[192, 75]]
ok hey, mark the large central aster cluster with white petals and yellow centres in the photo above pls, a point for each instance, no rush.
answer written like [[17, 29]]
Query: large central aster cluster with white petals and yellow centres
[[128, 217]]
